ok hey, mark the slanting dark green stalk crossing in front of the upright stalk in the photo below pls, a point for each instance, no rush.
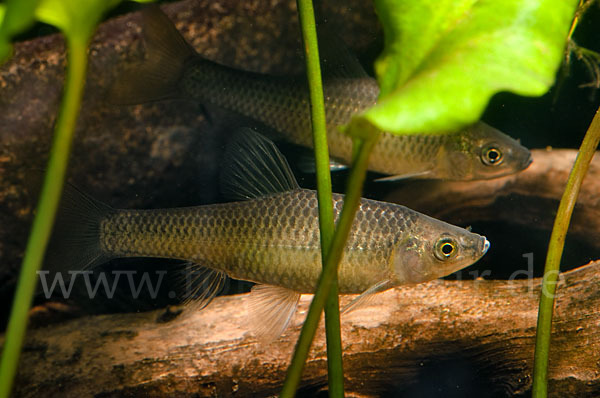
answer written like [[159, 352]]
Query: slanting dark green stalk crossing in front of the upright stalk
[[351, 202]]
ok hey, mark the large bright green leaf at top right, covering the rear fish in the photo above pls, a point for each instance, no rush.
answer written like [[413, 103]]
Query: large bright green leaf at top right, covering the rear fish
[[444, 59]]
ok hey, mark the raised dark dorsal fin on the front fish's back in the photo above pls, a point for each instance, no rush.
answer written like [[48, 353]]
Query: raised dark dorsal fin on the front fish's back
[[254, 167]]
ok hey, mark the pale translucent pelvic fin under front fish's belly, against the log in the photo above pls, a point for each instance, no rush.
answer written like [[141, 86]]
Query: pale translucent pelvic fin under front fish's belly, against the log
[[271, 308]]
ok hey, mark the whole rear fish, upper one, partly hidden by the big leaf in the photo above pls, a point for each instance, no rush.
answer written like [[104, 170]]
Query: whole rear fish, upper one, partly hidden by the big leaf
[[173, 69]]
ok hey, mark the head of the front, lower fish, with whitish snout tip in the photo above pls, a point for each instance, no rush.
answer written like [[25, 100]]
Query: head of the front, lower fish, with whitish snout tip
[[437, 249]]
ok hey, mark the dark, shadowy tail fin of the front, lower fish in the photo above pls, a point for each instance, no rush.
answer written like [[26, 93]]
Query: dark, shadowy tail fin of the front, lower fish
[[75, 243]]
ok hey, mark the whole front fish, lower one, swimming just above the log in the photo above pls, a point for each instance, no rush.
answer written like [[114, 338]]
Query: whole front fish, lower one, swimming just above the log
[[269, 234]]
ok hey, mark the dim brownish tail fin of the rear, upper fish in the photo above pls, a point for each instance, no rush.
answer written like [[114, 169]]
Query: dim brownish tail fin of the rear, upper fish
[[159, 75]]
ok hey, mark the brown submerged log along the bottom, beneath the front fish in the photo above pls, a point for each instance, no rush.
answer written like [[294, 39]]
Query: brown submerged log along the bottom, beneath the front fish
[[409, 335]]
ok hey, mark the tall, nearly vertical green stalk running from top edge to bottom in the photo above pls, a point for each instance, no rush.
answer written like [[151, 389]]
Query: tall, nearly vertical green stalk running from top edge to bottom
[[326, 225]]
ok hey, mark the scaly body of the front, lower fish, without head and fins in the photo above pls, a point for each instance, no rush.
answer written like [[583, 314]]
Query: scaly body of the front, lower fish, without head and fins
[[272, 240]]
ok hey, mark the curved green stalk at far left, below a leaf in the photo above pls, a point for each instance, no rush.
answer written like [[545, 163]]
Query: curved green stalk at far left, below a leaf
[[46, 212]]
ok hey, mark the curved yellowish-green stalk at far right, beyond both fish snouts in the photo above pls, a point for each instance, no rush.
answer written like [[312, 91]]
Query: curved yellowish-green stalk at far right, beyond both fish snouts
[[555, 249]]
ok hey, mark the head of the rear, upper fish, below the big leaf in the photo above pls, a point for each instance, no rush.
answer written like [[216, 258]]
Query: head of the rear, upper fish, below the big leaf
[[482, 152]]
